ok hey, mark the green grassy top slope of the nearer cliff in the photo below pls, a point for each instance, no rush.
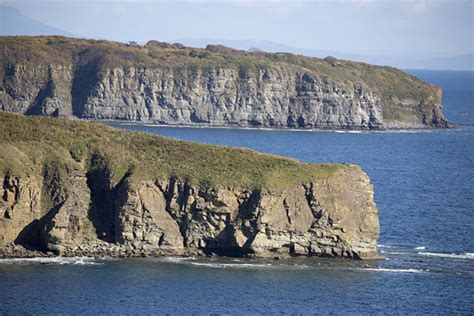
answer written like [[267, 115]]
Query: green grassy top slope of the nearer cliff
[[30, 143]]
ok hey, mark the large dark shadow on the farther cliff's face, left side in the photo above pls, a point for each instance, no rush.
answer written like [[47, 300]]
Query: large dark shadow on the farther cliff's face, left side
[[85, 78]]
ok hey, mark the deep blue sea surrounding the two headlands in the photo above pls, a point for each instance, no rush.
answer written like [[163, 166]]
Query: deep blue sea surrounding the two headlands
[[424, 190]]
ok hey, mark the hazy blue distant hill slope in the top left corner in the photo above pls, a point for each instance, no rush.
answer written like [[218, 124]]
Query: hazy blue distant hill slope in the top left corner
[[13, 22]]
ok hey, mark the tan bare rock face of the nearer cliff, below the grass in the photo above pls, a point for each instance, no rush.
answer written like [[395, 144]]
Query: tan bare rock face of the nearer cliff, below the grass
[[55, 212]]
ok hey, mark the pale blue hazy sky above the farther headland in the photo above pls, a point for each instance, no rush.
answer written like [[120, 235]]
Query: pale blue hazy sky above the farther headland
[[416, 27]]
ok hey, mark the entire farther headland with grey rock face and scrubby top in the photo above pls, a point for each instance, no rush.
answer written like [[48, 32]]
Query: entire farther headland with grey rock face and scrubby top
[[172, 84]]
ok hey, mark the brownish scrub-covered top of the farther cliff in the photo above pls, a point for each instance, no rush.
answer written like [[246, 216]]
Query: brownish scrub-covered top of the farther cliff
[[391, 82]]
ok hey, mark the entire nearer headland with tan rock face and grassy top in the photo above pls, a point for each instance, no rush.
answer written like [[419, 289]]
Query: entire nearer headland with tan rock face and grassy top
[[80, 188]]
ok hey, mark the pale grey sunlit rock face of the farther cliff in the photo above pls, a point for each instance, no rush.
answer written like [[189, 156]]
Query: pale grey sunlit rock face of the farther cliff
[[272, 97]]
